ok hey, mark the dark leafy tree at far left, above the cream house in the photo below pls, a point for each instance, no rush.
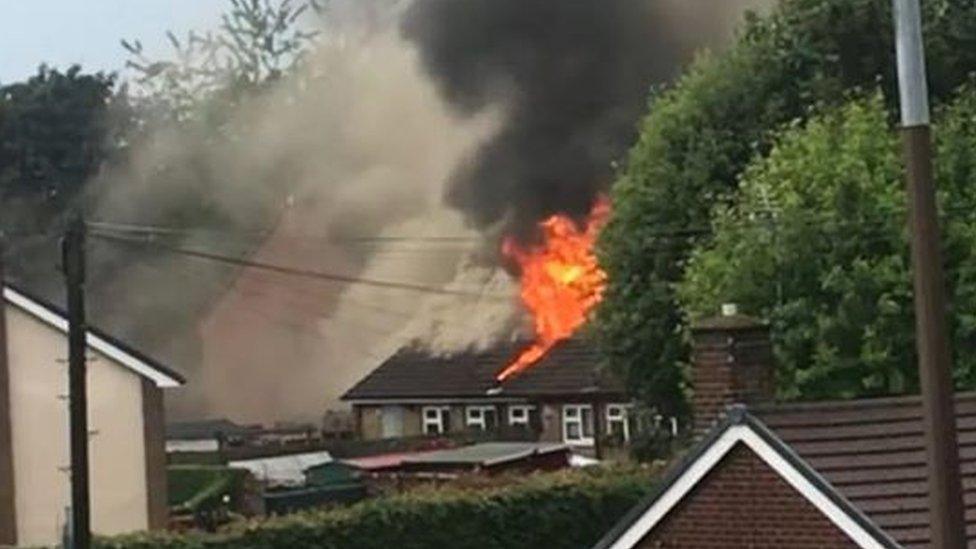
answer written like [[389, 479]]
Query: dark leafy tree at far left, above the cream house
[[55, 132]]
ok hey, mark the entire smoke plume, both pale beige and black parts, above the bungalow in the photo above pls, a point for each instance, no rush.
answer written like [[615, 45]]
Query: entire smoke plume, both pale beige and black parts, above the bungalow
[[467, 118]]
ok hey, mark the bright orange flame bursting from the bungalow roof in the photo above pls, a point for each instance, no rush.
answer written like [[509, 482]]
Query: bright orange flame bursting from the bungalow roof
[[561, 281]]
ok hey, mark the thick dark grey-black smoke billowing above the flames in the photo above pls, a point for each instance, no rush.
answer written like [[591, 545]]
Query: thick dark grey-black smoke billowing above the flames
[[575, 75]]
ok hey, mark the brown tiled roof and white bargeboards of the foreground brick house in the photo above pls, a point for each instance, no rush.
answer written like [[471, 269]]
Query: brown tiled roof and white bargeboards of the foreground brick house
[[862, 463]]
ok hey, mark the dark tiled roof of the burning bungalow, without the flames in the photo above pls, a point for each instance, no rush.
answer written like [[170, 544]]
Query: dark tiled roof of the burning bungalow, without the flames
[[570, 368]]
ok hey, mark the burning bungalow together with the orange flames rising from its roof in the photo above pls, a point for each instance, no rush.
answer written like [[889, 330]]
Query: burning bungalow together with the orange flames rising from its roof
[[549, 389]]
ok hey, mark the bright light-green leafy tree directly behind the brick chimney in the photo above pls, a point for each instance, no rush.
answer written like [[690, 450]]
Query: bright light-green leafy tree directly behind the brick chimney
[[816, 244]]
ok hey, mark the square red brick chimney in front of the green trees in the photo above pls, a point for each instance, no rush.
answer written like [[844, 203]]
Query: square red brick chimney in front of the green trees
[[732, 363]]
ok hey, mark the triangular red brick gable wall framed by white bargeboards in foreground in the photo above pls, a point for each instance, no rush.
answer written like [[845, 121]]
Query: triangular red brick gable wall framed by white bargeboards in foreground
[[743, 503]]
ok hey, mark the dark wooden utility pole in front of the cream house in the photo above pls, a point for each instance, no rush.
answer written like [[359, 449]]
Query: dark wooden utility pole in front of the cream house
[[73, 263]]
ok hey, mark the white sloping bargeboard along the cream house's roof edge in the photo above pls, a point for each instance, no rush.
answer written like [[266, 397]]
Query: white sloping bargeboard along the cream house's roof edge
[[98, 340]]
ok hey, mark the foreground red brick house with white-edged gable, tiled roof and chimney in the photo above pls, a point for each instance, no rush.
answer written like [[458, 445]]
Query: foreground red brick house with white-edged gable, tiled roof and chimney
[[766, 474]]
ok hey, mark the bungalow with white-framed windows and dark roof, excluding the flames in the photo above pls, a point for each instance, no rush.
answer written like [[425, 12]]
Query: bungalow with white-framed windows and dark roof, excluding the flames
[[416, 393]]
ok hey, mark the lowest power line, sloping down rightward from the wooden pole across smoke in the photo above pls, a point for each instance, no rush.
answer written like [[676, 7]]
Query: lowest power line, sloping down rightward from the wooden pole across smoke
[[308, 273]]
